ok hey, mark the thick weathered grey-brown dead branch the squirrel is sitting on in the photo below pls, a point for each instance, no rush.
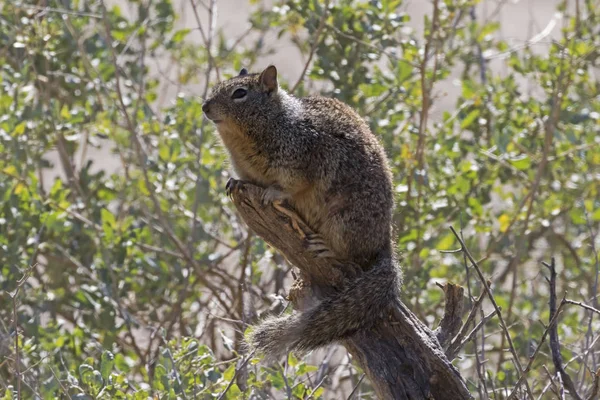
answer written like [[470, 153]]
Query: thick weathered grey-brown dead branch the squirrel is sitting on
[[402, 357]]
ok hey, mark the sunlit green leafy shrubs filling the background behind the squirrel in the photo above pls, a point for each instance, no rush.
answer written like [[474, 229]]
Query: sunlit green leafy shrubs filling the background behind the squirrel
[[137, 280]]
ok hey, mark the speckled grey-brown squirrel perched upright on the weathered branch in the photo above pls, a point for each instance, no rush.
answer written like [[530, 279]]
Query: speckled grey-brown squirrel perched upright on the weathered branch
[[319, 155]]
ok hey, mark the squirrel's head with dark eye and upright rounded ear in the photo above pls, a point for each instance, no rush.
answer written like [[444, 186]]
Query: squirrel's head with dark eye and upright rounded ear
[[244, 99]]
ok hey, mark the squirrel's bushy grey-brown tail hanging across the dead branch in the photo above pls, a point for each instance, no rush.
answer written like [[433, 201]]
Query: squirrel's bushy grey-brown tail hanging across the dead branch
[[358, 306]]
